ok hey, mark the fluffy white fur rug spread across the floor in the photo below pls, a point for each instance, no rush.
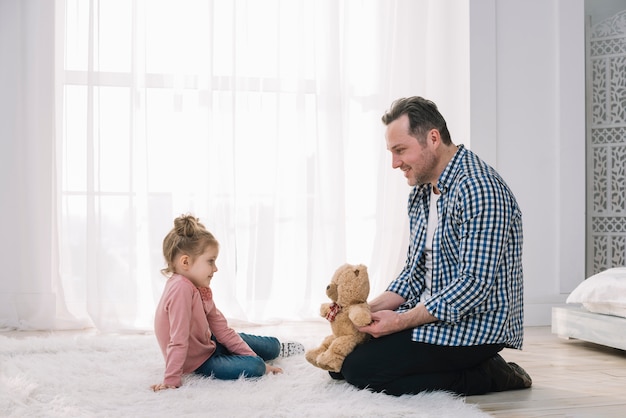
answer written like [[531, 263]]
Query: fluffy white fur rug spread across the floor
[[90, 375]]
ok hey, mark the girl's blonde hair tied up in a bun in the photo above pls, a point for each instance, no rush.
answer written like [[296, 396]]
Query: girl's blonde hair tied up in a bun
[[188, 237]]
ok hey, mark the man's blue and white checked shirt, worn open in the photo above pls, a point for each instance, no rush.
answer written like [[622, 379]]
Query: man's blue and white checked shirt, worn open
[[477, 278]]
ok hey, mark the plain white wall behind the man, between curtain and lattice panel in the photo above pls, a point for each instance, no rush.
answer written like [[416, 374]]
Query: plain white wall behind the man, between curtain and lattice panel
[[527, 62]]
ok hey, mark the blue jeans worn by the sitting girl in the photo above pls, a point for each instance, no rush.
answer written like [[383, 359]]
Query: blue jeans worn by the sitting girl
[[227, 366]]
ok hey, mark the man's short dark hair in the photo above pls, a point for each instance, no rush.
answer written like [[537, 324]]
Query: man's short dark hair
[[423, 116]]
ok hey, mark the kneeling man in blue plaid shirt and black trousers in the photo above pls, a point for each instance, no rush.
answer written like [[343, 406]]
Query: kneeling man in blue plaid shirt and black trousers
[[459, 298]]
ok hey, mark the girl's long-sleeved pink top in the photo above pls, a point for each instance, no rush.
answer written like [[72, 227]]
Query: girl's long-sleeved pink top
[[183, 325]]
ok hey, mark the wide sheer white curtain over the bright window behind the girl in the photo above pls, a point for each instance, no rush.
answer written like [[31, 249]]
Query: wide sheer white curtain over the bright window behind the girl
[[262, 118]]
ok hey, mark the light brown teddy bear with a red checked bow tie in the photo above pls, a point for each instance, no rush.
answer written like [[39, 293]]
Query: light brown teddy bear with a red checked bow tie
[[348, 290]]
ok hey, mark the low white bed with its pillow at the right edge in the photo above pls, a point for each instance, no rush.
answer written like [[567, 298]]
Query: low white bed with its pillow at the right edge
[[595, 310]]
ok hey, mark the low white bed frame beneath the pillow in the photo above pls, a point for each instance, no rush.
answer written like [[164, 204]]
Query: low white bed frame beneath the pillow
[[577, 322]]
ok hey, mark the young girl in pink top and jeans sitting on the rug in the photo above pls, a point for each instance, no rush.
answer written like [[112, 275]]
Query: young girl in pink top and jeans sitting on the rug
[[193, 334]]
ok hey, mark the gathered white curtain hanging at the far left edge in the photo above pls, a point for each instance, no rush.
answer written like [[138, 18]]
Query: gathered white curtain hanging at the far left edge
[[30, 292]]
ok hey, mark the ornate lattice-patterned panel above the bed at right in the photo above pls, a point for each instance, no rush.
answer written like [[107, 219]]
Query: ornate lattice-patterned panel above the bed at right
[[606, 149]]
